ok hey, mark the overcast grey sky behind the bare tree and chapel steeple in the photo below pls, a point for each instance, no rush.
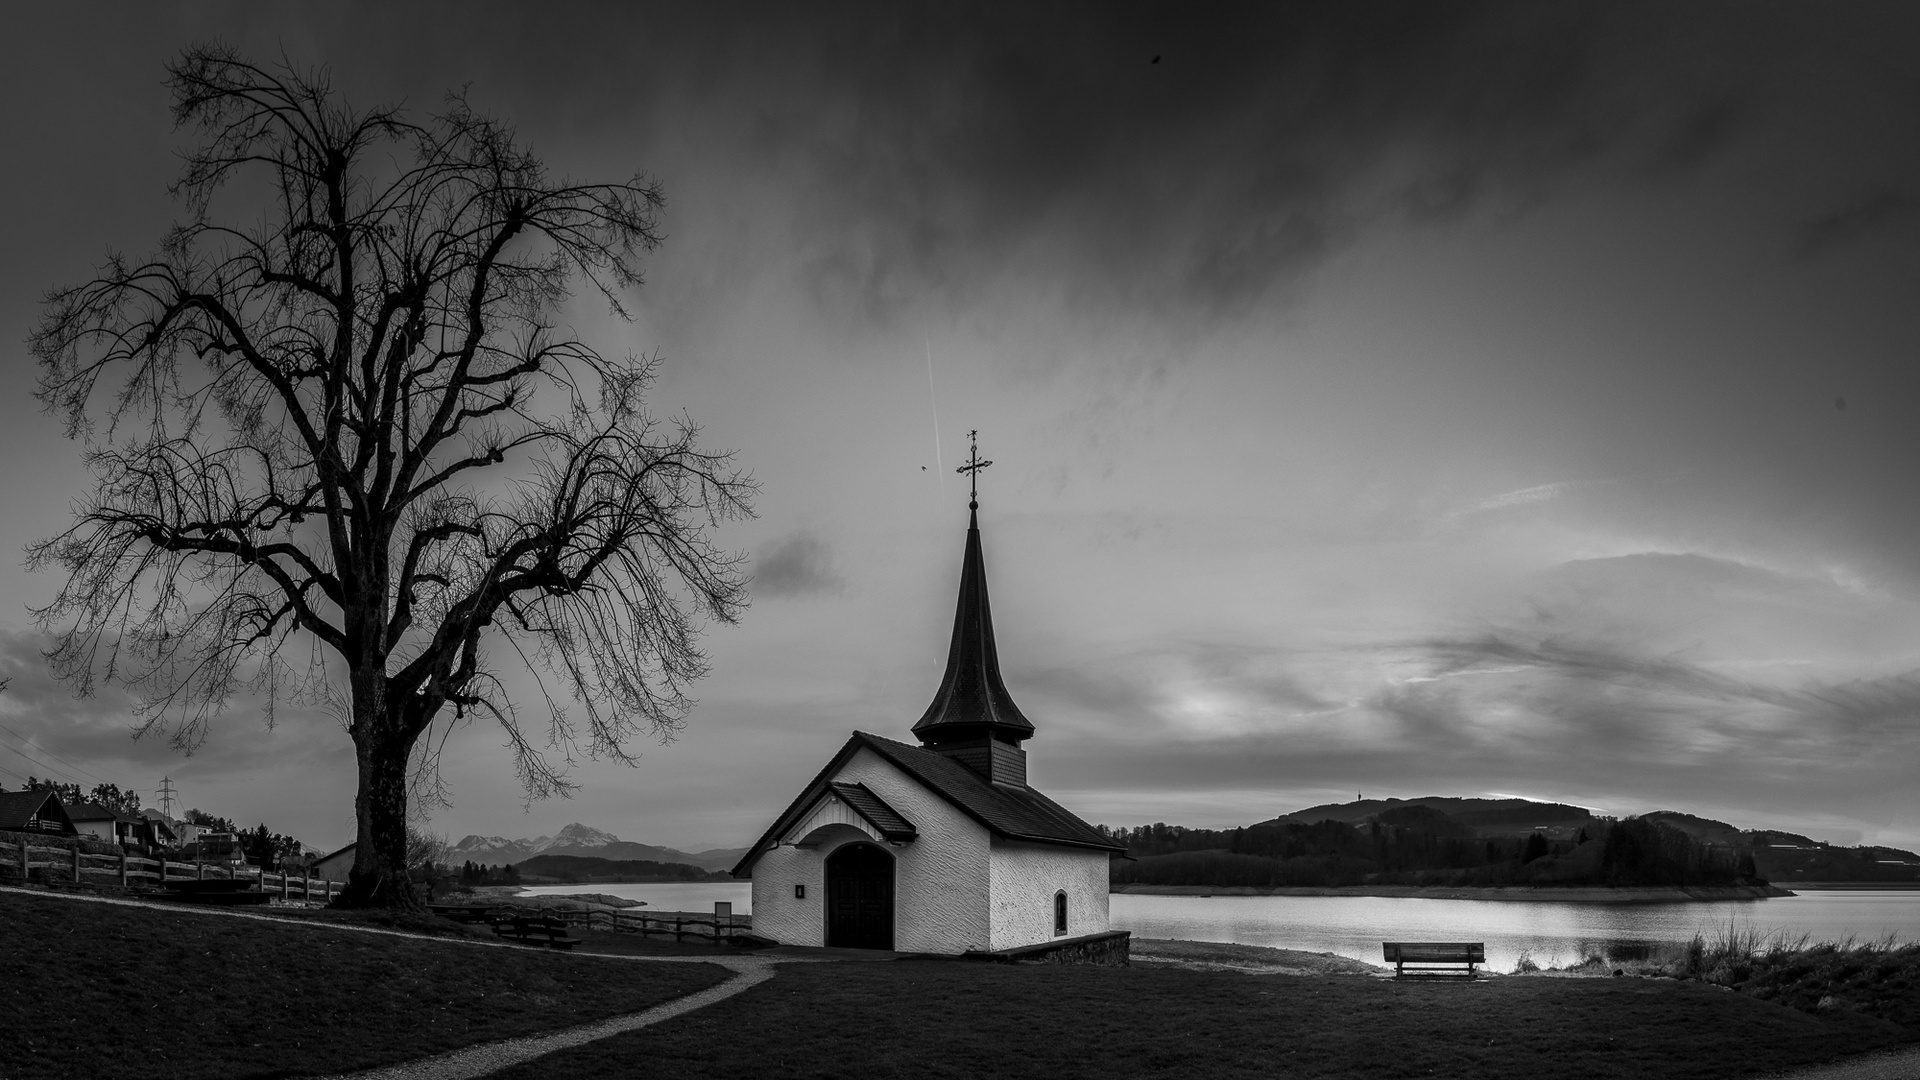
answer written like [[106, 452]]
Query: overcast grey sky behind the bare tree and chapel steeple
[[1395, 401]]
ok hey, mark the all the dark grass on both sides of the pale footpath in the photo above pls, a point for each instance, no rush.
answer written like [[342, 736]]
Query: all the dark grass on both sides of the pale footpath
[[103, 991]]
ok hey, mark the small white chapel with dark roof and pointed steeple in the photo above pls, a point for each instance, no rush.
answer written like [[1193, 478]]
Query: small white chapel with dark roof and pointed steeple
[[942, 847]]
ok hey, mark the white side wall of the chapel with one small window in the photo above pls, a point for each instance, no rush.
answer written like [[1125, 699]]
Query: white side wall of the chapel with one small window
[[1024, 883]]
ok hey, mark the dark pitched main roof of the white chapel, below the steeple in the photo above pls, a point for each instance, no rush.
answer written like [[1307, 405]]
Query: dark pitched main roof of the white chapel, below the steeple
[[1007, 812]]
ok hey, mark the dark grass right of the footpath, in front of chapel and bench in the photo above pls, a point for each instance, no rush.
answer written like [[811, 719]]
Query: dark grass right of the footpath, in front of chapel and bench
[[963, 1021]]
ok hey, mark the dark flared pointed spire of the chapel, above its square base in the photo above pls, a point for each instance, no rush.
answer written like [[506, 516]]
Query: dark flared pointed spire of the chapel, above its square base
[[972, 702]]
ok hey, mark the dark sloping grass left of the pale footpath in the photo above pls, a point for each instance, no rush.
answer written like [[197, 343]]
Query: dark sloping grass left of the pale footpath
[[93, 991]]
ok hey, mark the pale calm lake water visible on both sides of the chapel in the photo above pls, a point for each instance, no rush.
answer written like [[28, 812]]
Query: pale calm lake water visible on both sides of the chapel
[[1356, 925]]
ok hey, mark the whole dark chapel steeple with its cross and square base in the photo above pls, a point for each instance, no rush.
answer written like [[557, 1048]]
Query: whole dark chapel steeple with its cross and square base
[[972, 718]]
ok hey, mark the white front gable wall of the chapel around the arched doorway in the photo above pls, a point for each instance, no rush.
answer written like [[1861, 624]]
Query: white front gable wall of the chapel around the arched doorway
[[940, 881]]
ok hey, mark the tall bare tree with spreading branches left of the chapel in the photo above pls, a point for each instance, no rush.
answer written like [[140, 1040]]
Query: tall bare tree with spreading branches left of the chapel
[[341, 449]]
